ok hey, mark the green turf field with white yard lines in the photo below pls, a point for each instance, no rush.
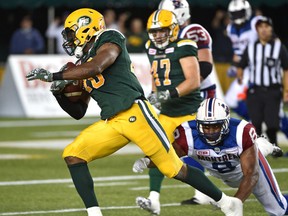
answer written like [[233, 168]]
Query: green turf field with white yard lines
[[34, 179]]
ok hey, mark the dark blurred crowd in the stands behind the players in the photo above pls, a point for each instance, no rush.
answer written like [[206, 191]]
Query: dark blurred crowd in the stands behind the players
[[129, 17]]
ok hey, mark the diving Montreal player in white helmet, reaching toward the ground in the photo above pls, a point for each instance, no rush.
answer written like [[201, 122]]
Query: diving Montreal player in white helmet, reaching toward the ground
[[229, 150]]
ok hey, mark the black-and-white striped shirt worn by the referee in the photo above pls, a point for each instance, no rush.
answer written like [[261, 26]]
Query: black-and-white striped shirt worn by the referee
[[265, 62]]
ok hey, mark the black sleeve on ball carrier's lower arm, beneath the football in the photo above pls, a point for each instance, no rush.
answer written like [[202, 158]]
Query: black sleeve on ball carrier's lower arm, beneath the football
[[75, 109]]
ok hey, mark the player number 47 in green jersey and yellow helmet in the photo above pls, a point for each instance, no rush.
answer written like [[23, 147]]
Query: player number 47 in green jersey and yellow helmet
[[175, 83]]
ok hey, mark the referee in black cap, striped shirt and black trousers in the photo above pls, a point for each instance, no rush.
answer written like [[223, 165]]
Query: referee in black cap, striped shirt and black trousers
[[267, 59]]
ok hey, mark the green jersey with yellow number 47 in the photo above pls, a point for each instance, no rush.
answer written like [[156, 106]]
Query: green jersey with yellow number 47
[[168, 74]]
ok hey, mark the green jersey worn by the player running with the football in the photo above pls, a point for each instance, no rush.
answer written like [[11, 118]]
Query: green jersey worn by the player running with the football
[[117, 87]]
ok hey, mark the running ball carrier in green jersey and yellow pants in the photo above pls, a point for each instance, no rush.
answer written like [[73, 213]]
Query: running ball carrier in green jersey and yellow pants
[[107, 73]]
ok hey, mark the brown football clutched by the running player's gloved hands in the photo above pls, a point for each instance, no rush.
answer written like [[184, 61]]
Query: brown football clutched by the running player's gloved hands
[[74, 91]]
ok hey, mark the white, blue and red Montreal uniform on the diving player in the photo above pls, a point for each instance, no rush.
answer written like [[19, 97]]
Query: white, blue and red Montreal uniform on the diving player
[[223, 161]]
